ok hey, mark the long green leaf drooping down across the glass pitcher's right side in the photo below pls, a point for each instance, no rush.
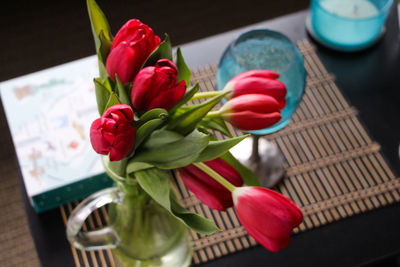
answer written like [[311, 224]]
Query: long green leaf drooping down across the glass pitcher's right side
[[155, 182]]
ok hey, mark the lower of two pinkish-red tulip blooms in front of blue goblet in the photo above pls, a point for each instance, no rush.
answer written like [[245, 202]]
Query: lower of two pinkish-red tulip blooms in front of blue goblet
[[252, 111]]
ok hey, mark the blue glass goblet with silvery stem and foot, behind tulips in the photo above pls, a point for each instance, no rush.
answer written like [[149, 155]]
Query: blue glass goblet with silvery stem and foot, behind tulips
[[263, 49]]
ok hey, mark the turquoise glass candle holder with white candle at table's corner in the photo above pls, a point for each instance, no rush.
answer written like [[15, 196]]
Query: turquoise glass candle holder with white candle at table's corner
[[348, 25]]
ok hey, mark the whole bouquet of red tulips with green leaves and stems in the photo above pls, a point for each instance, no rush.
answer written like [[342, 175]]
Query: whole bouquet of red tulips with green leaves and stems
[[147, 127]]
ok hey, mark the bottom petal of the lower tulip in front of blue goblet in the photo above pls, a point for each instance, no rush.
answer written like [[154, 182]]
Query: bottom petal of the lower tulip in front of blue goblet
[[250, 121]]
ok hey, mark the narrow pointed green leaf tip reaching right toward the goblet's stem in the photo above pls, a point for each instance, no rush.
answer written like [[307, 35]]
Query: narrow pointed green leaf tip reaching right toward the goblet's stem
[[217, 148]]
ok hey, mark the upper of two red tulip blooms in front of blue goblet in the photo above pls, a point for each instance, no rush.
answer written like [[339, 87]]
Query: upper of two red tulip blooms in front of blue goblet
[[258, 82]]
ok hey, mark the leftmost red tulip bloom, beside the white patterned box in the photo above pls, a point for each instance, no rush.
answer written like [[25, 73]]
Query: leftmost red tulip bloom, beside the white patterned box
[[113, 132]]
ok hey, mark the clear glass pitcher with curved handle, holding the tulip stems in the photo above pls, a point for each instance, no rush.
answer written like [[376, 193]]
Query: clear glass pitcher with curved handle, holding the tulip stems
[[140, 232]]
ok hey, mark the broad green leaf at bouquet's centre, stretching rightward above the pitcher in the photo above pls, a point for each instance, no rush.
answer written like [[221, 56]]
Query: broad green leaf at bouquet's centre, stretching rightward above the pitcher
[[176, 154]]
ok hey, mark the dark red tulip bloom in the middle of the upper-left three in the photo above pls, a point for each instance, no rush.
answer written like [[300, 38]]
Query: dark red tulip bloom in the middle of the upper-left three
[[157, 87]]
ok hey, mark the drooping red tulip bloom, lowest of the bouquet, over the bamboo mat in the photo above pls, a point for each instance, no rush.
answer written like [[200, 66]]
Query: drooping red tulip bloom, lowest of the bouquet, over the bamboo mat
[[268, 216]]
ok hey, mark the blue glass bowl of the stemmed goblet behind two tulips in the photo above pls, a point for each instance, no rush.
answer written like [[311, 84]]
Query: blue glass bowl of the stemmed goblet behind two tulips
[[266, 49]]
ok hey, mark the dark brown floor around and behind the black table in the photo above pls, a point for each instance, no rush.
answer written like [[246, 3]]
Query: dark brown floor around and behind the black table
[[40, 34]]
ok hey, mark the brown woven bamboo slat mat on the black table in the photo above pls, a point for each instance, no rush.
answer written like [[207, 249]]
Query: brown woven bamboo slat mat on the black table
[[333, 169]]
